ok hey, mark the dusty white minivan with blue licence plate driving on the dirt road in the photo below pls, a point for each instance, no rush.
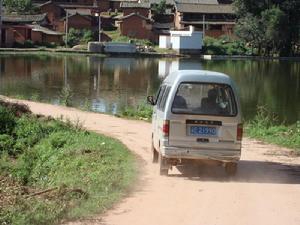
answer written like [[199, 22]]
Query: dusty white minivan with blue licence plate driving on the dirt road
[[196, 116]]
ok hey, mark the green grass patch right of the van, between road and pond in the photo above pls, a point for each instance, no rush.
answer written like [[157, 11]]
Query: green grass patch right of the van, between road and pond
[[265, 126]]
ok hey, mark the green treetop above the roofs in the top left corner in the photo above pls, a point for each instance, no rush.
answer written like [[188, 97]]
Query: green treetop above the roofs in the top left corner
[[20, 6]]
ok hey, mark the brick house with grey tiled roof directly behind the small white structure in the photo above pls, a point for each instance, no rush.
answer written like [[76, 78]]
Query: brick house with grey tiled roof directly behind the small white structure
[[217, 17]]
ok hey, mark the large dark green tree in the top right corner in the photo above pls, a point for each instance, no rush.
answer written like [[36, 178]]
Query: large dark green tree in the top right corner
[[272, 26]]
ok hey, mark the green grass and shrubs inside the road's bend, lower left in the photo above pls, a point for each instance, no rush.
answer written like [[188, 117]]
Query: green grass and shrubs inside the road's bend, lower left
[[52, 171]]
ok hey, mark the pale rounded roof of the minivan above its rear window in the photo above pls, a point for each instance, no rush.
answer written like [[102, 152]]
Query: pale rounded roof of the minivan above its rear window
[[198, 76]]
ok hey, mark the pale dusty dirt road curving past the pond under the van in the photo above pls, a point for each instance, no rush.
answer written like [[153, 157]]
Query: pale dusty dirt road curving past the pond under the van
[[266, 189]]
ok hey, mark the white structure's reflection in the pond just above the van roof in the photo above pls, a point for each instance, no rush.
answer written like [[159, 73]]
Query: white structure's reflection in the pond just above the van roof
[[166, 66]]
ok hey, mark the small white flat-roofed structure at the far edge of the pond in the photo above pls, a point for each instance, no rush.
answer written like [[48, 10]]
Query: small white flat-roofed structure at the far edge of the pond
[[183, 41]]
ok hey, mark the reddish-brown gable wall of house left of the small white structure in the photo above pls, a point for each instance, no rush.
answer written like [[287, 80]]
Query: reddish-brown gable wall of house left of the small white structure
[[136, 27]]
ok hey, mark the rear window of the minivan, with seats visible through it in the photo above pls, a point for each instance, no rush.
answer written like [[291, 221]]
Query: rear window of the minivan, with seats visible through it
[[204, 99]]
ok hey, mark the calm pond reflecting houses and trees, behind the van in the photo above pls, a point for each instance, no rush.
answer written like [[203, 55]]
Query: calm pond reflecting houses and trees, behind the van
[[109, 84]]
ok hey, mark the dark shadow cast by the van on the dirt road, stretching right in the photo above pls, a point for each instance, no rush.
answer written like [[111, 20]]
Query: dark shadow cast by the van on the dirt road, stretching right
[[248, 172]]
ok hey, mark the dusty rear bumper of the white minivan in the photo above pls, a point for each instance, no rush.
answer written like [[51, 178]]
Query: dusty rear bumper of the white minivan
[[224, 155]]
